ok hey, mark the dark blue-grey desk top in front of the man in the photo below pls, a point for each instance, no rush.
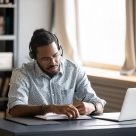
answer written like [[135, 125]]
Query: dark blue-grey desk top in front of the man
[[68, 128]]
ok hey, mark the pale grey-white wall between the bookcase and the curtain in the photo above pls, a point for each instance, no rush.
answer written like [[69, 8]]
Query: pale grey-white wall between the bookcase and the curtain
[[32, 14]]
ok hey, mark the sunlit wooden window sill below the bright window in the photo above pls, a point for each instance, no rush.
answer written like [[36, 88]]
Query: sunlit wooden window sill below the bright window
[[111, 77]]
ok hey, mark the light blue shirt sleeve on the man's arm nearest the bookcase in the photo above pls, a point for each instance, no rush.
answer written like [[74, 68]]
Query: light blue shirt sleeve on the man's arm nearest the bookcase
[[18, 92]]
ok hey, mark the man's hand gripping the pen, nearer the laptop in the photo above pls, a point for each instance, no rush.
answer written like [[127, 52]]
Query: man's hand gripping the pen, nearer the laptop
[[84, 108]]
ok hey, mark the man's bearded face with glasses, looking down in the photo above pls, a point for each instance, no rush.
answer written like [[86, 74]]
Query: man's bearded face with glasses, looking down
[[48, 57]]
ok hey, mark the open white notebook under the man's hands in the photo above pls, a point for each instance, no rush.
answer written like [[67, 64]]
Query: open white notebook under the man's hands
[[54, 116]]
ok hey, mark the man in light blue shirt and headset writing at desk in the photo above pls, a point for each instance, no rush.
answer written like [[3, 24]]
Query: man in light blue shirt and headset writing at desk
[[51, 83]]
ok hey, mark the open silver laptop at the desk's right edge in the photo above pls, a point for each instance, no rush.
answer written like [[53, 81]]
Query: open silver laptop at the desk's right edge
[[128, 110]]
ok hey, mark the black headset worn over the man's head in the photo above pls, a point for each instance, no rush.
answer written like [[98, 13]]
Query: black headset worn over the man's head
[[32, 54]]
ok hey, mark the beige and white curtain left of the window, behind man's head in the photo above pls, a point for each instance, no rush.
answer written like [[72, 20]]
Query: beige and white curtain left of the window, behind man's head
[[65, 27]]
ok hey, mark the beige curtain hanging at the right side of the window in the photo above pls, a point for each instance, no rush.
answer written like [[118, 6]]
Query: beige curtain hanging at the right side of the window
[[129, 66]]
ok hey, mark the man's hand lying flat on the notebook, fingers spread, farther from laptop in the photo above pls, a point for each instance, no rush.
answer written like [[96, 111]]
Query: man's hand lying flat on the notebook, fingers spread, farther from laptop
[[68, 110]]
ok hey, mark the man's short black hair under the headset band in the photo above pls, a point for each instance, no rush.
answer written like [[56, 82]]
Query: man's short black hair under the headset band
[[41, 37]]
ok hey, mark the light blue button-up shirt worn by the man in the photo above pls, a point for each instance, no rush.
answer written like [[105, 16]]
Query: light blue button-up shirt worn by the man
[[30, 85]]
